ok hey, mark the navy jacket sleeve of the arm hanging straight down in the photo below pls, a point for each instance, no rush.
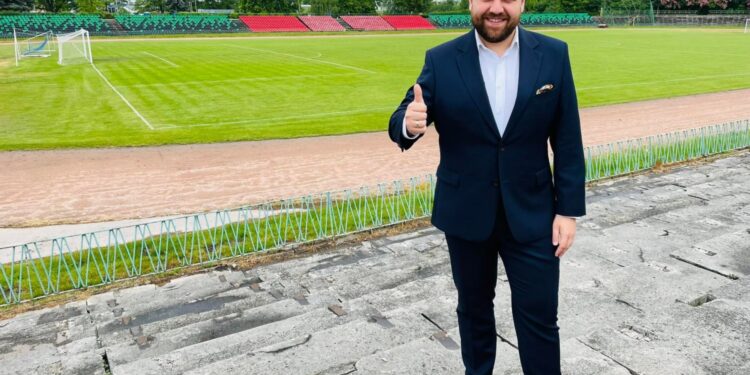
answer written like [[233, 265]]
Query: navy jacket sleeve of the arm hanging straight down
[[567, 146]]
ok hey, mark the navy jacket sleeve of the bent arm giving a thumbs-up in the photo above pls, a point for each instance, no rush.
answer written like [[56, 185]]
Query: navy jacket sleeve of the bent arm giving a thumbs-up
[[426, 80]]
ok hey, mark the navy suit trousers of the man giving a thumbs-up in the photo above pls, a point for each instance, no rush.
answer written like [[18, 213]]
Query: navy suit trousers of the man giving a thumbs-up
[[533, 273]]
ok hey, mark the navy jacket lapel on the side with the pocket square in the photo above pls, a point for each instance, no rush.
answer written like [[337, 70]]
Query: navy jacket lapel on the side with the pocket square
[[530, 62]]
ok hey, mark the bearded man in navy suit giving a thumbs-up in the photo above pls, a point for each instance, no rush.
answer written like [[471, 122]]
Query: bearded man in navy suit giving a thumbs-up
[[497, 96]]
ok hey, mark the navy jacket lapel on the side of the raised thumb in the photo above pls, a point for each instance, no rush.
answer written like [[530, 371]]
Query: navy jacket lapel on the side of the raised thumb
[[471, 74]]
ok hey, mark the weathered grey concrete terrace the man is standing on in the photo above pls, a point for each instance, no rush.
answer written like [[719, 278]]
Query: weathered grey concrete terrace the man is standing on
[[657, 283]]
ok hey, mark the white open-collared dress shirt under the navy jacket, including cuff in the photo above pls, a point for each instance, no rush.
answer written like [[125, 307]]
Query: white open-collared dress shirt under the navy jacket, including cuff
[[500, 75]]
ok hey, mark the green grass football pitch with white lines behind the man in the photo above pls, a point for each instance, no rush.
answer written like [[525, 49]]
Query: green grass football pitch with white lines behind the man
[[214, 90]]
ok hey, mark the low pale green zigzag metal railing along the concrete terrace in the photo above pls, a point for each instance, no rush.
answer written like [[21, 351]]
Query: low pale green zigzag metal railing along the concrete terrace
[[38, 269]]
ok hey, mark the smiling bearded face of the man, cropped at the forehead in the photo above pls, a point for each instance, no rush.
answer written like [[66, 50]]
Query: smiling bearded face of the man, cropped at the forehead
[[495, 20]]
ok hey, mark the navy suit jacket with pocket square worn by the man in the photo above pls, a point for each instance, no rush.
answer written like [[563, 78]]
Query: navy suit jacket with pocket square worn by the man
[[477, 165]]
